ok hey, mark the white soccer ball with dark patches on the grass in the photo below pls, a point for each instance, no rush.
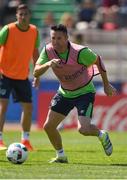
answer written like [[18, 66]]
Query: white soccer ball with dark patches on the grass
[[17, 153]]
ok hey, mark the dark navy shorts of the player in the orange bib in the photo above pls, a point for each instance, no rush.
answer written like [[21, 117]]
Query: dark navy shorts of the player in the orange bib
[[20, 89]]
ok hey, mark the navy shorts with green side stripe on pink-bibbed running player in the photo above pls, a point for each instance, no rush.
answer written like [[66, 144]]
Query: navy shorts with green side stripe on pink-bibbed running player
[[83, 103]]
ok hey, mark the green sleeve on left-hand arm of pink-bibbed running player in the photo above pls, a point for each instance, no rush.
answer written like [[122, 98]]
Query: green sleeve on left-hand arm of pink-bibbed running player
[[43, 58]]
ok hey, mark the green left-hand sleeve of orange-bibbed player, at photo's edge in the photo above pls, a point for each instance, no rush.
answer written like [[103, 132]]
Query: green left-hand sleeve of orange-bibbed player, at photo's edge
[[3, 35]]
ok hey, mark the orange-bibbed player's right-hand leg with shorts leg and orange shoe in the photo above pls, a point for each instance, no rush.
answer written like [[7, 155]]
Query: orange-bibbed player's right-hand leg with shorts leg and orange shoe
[[22, 93]]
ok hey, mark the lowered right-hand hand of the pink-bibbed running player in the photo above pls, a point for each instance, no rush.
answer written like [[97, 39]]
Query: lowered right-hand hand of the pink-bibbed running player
[[110, 90]]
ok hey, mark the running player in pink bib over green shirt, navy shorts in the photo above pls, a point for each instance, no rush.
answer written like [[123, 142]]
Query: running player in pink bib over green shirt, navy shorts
[[74, 65]]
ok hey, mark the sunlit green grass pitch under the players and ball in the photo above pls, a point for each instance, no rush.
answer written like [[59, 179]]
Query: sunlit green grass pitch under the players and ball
[[87, 159]]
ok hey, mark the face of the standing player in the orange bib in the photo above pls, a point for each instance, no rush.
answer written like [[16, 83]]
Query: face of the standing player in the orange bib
[[23, 17]]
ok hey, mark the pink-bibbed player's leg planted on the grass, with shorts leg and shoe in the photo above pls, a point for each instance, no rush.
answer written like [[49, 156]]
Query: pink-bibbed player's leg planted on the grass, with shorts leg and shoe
[[60, 107]]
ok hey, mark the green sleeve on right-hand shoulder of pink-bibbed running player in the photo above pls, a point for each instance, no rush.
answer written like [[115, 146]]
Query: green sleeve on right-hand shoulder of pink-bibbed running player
[[87, 57]]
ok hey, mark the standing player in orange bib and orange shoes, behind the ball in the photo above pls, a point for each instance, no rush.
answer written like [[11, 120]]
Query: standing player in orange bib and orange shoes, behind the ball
[[19, 42]]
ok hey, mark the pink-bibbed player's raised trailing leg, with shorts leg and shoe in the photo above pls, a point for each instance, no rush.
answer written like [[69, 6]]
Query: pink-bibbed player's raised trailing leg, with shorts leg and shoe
[[85, 127]]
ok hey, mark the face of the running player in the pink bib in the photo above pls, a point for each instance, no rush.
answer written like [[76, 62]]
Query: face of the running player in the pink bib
[[59, 40]]
